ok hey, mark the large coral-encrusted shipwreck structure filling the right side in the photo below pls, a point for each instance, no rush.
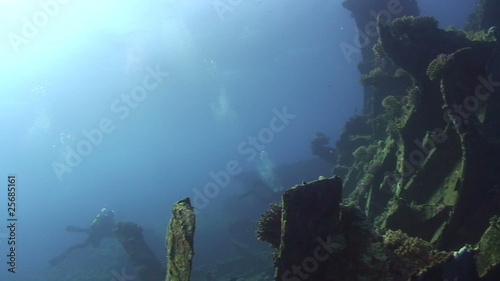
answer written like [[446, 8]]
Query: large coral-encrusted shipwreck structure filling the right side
[[421, 162]]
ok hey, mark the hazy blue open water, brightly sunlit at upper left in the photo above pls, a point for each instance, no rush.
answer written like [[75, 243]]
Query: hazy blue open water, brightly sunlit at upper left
[[132, 106]]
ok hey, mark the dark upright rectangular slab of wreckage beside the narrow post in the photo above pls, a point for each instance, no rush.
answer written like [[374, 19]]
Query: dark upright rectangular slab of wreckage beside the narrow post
[[310, 213]]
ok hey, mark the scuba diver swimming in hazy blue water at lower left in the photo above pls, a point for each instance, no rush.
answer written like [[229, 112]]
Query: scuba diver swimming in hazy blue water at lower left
[[101, 227]]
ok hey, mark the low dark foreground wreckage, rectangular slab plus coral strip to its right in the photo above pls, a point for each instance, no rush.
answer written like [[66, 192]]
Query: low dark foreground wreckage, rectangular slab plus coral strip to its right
[[322, 239]]
